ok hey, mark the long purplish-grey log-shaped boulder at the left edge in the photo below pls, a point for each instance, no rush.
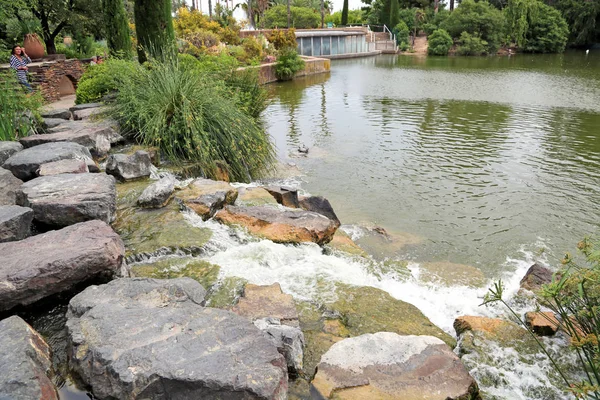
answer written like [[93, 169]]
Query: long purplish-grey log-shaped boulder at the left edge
[[53, 262]]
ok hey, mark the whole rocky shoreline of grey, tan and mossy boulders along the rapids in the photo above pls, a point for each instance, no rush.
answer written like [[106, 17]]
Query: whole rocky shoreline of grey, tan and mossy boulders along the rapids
[[164, 327]]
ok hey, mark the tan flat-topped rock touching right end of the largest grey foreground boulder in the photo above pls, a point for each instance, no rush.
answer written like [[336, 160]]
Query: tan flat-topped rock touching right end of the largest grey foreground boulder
[[267, 301]]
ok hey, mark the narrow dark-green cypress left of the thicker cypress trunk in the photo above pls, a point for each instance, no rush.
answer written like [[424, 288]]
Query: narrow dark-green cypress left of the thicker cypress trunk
[[117, 29]]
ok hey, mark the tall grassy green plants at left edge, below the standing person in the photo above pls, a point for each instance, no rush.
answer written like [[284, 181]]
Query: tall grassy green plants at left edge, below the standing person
[[14, 104]]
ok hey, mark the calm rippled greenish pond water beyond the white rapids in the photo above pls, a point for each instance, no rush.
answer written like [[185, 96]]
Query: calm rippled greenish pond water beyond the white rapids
[[478, 157]]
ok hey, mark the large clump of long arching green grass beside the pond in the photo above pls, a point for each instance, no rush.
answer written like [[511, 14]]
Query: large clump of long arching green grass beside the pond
[[193, 118]]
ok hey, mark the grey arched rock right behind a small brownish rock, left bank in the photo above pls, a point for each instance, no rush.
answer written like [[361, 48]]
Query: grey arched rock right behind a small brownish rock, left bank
[[25, 164]]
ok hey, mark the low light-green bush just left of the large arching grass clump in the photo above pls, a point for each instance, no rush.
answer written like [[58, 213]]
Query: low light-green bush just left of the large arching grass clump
[[101, 79]]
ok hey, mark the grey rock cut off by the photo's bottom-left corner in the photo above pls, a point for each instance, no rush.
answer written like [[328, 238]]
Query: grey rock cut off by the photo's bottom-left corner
[[25, 363]]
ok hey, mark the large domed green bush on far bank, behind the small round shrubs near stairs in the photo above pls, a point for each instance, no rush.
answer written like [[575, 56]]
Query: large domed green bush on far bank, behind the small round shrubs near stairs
[[478, 19]]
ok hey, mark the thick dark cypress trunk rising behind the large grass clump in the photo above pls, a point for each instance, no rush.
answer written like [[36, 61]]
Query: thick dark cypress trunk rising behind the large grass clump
[[154, 28]]
